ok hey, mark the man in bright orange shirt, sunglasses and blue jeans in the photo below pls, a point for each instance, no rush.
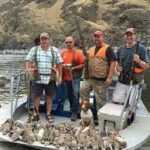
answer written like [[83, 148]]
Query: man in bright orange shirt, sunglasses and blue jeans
[[72, 71]]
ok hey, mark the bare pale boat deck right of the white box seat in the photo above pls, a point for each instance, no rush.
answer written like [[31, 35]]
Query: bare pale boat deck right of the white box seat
[[139, 131]]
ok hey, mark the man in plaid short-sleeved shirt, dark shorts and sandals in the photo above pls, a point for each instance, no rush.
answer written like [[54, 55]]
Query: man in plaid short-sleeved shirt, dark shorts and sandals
[[41, 60]]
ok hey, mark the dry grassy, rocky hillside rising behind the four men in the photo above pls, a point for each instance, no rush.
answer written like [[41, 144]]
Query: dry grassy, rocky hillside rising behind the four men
[[23, 20]]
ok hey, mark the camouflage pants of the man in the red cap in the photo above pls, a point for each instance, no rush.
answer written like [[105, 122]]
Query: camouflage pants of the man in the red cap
[[99, 89]]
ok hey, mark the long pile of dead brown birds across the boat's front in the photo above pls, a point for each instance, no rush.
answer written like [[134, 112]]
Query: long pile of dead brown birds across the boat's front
[[63, 135]]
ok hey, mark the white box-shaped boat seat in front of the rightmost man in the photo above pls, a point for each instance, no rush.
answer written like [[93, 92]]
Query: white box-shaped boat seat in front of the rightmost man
[[114, 116]]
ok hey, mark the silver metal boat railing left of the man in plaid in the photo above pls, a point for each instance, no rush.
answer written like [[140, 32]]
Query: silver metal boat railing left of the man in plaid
[[17, 88]]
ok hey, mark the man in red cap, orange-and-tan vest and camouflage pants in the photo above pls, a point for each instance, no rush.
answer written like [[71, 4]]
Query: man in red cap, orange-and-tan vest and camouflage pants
[[101, 66]]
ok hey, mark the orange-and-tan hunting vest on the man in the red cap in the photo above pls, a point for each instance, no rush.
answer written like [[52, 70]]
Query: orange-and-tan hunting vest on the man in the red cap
[[97, 63]]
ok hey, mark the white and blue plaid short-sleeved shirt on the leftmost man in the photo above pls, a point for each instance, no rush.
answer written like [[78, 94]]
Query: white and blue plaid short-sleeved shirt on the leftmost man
[[44, 61]]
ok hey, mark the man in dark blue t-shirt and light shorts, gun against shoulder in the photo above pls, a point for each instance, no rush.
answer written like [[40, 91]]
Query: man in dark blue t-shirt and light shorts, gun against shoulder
[[132, 62]]
